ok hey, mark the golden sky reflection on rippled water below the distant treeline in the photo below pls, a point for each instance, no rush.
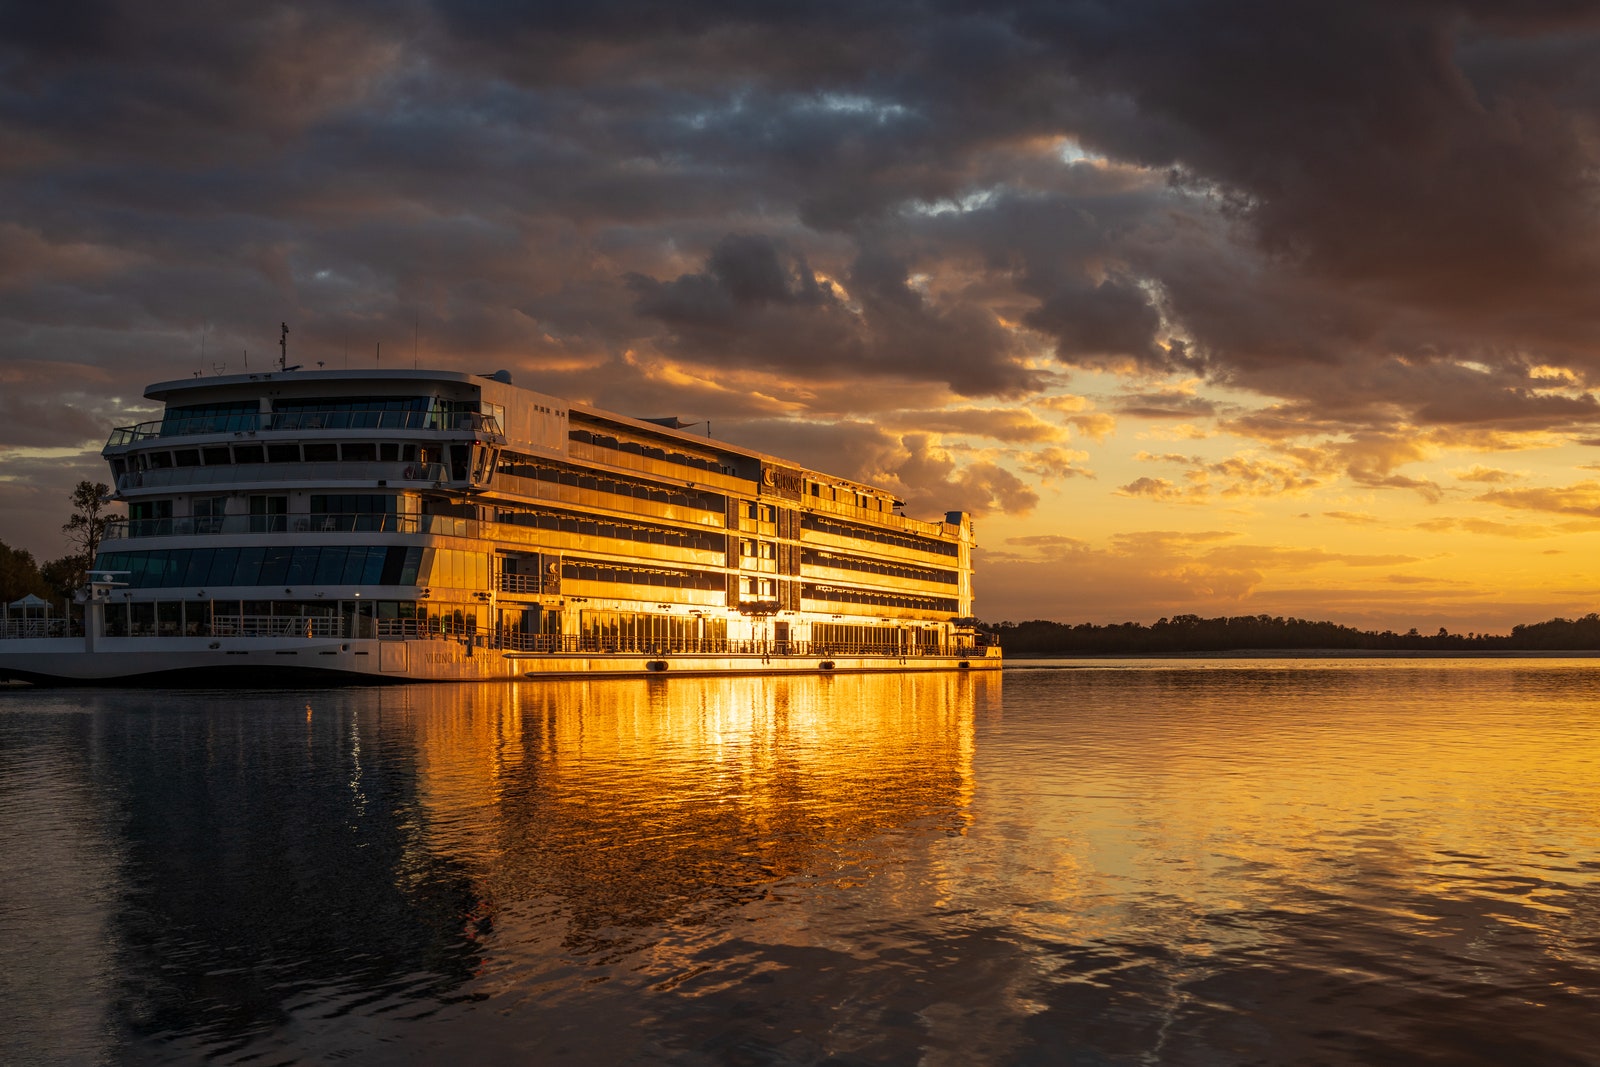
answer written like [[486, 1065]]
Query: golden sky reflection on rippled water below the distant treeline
[[1220, 809]]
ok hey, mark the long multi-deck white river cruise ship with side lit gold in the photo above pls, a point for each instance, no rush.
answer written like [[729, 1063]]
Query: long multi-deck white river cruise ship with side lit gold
[[430, 526]]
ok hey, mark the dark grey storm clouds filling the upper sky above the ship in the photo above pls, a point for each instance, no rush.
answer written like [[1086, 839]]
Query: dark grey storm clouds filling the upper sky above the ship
[[1374, 215]]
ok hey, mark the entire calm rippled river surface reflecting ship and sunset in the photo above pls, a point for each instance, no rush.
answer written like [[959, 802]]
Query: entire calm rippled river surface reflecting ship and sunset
[[1129, 863]]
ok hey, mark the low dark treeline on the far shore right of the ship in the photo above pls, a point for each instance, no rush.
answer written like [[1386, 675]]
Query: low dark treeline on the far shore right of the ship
[[1193, 634]]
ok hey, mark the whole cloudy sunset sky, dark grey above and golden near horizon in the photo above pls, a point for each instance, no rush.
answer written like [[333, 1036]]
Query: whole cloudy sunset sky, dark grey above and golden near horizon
[[1201, 308]]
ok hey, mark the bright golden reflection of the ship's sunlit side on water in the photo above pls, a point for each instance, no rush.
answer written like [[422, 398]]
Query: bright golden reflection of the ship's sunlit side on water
[[633, 804]]
